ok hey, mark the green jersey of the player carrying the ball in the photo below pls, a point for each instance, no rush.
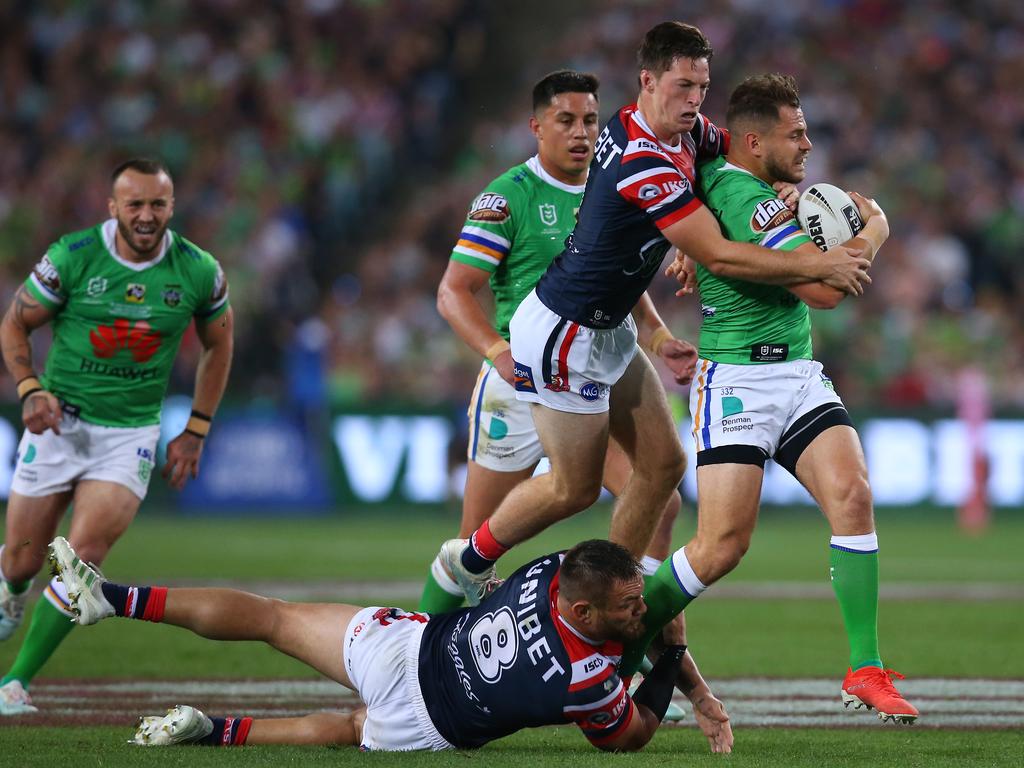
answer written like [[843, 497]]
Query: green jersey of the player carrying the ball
[[750, 323]]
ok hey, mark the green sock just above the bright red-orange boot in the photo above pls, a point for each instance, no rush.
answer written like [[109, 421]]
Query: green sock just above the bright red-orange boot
[[856, 580]]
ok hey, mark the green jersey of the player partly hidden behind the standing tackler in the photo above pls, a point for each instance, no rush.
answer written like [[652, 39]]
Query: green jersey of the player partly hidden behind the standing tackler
[[515, 230]]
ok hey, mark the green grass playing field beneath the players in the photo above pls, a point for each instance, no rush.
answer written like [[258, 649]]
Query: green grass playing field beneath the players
[[952, 609]]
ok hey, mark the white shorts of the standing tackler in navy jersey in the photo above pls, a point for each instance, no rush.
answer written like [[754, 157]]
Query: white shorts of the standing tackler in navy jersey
[[564, 365]]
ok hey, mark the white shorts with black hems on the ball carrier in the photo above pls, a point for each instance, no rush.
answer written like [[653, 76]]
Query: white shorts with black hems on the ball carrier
[[762, 406]]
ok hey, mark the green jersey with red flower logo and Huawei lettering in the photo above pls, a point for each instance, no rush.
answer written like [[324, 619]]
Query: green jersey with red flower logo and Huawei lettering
[[118, 325]]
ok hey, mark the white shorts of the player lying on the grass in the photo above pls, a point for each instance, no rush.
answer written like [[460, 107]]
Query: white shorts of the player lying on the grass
[[382, 657]]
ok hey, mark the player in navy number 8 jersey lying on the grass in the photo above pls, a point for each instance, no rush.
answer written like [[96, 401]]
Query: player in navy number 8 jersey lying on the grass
[[544, 650]]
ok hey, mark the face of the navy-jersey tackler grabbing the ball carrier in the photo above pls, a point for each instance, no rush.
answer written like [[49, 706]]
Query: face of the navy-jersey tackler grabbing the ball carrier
[[672, 100]]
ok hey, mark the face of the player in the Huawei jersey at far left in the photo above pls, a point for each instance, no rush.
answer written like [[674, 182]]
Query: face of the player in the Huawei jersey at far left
[[143, 204]]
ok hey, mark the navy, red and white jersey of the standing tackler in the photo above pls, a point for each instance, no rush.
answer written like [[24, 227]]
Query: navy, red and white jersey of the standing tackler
[[637, 188]]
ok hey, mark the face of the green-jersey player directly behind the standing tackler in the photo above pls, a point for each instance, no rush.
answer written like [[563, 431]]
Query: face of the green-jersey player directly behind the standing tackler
[[566, 133]]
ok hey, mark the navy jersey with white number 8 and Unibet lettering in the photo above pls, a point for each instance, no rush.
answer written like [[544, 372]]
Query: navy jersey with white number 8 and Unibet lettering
[[515, 663]]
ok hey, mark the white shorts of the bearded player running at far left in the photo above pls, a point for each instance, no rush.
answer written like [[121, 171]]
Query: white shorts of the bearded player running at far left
[[52, 463]]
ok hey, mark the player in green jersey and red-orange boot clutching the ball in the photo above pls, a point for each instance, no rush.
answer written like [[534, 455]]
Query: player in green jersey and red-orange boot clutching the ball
[[760, 395]]
